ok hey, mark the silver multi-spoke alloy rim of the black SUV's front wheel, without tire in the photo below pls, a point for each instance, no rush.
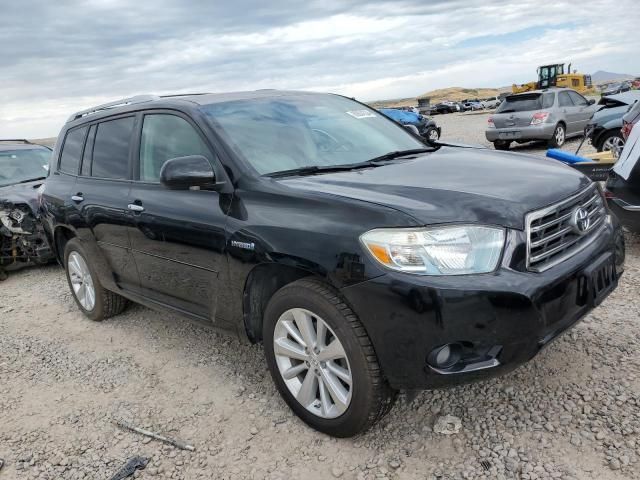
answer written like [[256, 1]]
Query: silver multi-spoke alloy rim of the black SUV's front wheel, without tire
[[313, 363]]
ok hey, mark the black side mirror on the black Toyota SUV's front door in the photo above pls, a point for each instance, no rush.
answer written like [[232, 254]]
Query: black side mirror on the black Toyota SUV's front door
[[183, 173]]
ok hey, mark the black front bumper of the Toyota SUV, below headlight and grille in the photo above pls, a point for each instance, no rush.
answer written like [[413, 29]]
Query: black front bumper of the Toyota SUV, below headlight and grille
[[502, 319]]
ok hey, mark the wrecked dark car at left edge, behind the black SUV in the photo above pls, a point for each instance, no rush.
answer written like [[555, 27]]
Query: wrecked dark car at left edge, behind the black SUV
[[23, 169]]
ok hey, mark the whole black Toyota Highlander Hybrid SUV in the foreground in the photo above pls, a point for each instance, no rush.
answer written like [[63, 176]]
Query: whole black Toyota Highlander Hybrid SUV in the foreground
[[364, 260]]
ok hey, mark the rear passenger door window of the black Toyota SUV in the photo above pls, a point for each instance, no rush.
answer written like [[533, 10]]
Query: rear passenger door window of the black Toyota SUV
[[111, 149]]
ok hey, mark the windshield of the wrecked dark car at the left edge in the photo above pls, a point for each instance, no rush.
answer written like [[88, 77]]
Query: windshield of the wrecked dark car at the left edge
[[18, 166]]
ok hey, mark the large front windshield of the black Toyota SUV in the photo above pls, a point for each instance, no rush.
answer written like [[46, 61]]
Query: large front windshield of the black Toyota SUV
[[288, 132]]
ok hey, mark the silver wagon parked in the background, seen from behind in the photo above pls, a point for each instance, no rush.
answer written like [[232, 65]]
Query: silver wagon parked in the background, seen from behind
[[552, 115]]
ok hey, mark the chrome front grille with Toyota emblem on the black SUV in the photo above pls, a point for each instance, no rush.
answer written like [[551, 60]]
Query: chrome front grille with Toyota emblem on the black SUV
[[557, 232]]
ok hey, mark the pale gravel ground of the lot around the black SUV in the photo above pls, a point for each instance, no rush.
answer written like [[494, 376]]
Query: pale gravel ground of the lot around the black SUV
[[571, 413]]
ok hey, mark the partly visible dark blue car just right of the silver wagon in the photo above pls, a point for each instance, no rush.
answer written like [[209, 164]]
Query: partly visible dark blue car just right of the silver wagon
[[604, 129]]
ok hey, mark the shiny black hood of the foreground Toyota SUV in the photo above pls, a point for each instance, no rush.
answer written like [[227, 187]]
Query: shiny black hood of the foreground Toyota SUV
[[455, 185]]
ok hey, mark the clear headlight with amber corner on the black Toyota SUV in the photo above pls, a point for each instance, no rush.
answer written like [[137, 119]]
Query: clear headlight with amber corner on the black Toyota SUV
[[445, 250]]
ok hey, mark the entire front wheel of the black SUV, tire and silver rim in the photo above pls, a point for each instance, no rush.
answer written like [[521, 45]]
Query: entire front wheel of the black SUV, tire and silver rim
[[322, 360]]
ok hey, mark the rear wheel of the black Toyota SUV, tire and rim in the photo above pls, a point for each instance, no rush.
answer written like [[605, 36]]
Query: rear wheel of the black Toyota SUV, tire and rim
[[82, 278]]
